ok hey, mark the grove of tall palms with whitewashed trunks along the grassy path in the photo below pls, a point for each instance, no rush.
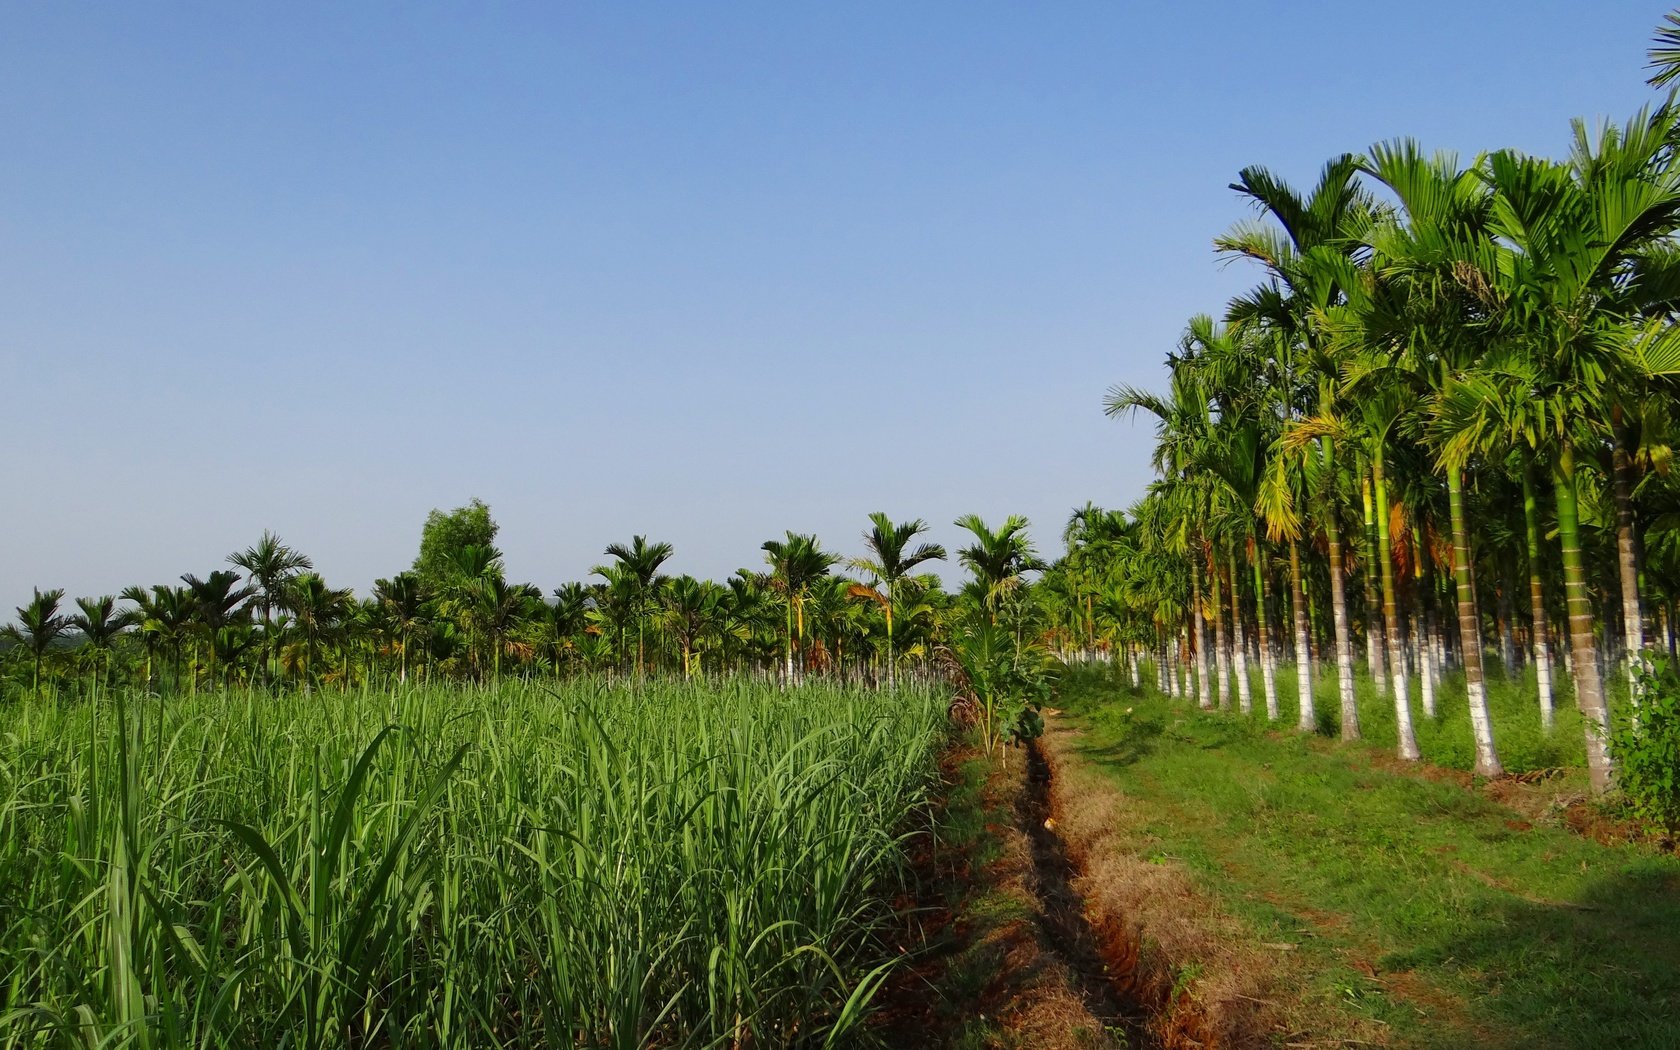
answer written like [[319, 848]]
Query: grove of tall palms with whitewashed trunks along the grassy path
[[1444, 416]]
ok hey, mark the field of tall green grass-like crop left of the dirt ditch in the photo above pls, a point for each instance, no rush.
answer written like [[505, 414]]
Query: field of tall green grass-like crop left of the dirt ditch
[[510, 868]]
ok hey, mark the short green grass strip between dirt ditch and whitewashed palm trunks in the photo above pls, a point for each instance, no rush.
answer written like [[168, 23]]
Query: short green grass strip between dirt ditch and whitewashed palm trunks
[[1483, 930]]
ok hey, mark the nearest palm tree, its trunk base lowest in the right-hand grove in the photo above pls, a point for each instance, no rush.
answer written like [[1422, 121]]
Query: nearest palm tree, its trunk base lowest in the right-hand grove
[[1557, 281]]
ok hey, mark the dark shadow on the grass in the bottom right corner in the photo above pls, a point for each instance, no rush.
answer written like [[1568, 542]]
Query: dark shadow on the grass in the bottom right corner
[[1602, 970]]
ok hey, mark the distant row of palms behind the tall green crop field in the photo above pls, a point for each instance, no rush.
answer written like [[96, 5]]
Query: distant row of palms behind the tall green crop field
[[273, 621]]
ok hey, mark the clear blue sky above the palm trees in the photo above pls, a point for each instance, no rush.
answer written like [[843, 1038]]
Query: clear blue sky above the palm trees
[[703, 271]]
